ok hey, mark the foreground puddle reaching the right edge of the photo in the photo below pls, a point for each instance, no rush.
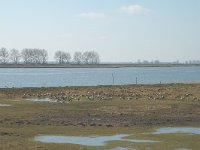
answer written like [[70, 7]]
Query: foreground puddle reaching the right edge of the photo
[[177, 130]]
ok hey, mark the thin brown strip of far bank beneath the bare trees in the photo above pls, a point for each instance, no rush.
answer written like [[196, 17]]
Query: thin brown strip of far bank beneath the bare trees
[[93, 65]]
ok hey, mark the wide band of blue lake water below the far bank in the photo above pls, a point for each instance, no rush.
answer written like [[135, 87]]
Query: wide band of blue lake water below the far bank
[[50, 77]]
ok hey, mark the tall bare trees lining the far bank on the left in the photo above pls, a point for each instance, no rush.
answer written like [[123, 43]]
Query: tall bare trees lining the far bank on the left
[[40, 56]]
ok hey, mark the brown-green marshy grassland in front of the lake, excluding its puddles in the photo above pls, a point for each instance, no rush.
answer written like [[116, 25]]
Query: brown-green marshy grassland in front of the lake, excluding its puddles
[[116, 113]]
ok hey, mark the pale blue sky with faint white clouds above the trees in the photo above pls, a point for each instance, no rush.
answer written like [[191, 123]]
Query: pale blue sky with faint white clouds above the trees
[[119, 30]]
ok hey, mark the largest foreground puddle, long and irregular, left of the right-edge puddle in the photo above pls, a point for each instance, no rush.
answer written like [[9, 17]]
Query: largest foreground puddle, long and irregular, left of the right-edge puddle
[[88, 141]]
